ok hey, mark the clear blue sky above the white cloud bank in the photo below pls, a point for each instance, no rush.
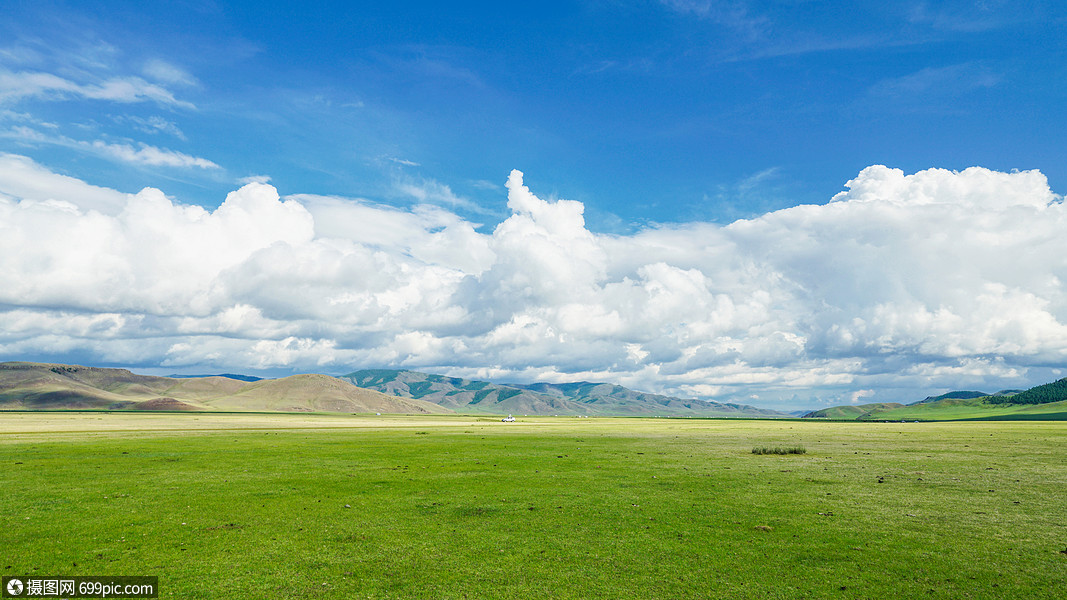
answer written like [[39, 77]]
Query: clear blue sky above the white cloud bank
[[644, 112]]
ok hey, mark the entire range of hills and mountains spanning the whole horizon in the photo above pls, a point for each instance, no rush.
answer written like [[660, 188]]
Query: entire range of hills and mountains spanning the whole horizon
[[26, 386]]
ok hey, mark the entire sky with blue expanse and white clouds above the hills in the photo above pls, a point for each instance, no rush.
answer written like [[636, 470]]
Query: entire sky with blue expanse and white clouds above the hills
[[782, 204]]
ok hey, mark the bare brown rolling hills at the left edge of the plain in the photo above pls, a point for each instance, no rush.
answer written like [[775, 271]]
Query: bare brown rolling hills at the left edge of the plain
[[55, 387]]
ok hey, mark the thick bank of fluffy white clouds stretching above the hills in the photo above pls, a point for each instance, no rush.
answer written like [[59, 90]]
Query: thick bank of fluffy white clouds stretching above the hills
[[902, 283]]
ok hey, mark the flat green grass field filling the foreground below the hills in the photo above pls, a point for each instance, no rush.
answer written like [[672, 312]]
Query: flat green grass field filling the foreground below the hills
[[330, 507]]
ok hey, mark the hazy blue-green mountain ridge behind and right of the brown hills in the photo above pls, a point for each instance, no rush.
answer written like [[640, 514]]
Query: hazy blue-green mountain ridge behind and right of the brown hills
[[582, 399]]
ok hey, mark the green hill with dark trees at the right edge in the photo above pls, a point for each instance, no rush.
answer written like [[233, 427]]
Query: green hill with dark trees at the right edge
[[1044, 403]]
